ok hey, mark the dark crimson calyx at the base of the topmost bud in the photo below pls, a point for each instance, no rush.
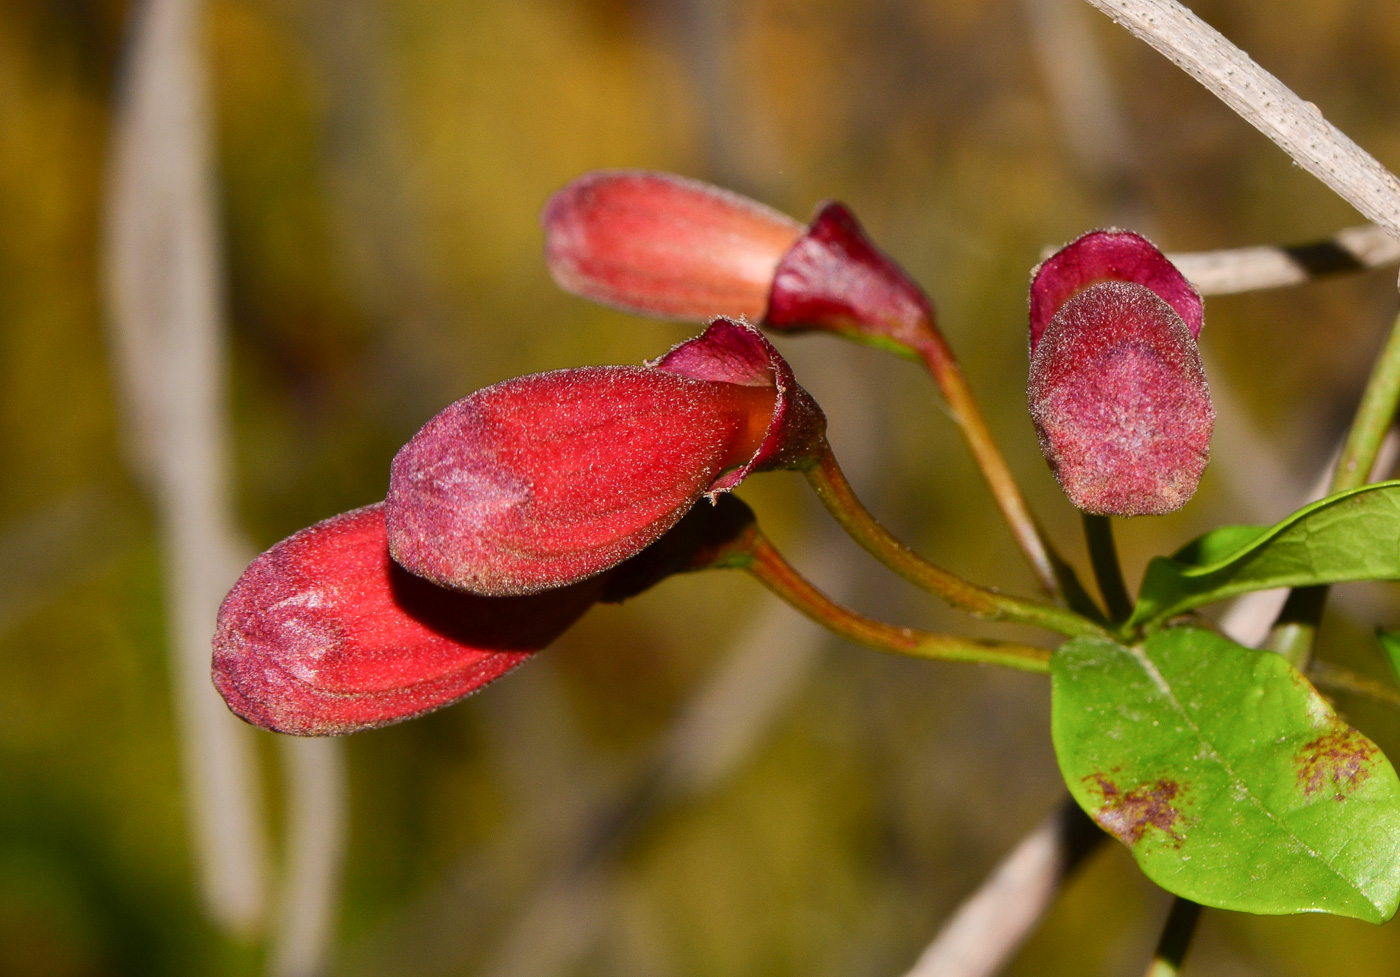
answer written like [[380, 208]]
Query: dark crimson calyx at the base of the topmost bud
[[835, 279]]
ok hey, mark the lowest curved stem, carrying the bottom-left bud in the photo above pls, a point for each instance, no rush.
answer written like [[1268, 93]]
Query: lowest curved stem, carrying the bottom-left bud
[[779, 576]]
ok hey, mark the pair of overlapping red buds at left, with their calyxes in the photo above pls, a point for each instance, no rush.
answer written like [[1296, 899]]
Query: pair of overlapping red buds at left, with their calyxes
[[509, 516]]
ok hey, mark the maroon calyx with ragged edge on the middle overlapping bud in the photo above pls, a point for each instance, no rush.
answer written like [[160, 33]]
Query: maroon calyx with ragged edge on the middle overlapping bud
[[737, 353]]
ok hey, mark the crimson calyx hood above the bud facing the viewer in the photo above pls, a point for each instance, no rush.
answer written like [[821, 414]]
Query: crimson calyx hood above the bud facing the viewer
[[1111, 255]]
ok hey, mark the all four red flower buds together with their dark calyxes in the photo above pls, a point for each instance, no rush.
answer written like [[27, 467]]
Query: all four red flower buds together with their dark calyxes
[[521, 506]]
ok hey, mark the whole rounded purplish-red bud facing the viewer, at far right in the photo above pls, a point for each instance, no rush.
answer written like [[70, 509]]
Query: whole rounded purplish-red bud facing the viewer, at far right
[[1118, 391]]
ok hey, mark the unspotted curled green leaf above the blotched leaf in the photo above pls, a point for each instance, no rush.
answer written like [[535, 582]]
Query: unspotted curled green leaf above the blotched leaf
[[1353, 535]]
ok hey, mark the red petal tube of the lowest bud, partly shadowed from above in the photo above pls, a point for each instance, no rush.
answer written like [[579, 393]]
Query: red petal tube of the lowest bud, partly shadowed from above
[[324, 635]]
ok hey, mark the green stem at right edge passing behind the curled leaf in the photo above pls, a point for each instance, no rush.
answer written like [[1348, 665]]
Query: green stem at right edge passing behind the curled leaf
[[1296, 631]]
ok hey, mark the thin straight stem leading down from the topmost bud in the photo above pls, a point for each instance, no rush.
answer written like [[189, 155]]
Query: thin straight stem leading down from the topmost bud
[[962, 405]]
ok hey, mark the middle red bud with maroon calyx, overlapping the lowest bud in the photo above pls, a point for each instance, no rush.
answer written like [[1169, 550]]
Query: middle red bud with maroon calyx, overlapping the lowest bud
[[545, 481]]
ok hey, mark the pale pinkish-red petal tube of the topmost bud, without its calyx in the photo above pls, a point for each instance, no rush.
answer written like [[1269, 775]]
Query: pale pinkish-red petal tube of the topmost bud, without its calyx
[[664, 246]]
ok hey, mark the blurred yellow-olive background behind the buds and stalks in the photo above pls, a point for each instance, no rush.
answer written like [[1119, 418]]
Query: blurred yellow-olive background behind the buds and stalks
[[380, 173]]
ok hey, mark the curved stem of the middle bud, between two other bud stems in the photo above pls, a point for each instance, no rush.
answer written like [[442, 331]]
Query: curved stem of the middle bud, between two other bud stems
[[846, 509]]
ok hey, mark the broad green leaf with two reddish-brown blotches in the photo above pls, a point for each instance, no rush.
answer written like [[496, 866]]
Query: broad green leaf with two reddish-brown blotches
[[1228, 776]]
